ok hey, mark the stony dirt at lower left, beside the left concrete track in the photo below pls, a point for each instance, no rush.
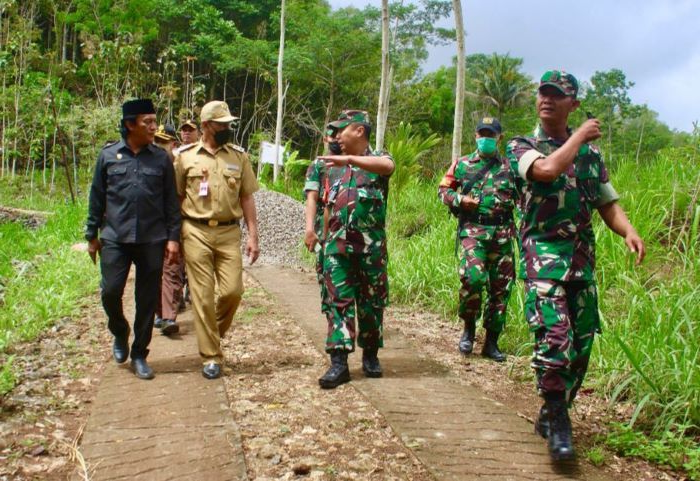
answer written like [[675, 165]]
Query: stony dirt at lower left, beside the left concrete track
[[42, 419]]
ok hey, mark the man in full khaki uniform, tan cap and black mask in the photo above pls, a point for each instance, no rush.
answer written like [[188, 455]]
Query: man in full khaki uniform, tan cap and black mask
[[216, 184]]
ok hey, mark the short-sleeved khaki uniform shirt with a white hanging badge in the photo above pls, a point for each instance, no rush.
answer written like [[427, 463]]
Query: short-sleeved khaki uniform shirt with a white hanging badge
[[228, 175]]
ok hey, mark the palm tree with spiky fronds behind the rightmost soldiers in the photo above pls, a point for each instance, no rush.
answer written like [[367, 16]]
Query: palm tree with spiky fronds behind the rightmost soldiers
[[500, 84]]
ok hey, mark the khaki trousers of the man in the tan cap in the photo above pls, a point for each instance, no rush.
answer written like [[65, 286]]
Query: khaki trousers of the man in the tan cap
[[213, 258]]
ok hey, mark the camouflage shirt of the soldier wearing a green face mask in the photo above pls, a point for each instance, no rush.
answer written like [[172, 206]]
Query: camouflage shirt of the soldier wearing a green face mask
[[496, 192]]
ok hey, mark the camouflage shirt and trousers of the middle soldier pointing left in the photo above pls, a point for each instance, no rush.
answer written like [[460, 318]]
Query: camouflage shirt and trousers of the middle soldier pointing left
[[355, 257]]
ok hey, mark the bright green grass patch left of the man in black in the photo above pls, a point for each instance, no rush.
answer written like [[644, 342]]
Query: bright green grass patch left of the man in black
[[42, 279]]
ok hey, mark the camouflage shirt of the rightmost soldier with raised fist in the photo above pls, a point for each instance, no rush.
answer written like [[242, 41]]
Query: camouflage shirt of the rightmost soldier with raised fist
[[556, 234]]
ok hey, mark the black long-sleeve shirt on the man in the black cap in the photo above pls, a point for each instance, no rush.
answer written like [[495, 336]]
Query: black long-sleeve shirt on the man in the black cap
[[133, 198]]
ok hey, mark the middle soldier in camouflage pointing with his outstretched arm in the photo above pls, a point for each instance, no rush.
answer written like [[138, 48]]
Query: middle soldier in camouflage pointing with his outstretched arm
[[355, 254]]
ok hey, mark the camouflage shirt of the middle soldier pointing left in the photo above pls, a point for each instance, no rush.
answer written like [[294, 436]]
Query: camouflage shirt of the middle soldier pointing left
[[357, 203]]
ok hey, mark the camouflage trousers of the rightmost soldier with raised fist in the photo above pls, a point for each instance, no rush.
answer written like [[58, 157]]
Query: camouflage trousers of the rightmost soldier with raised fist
[[564, 318]]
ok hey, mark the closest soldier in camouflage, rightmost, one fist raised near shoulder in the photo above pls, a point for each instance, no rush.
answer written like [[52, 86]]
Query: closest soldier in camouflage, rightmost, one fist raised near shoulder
[[563, 179]]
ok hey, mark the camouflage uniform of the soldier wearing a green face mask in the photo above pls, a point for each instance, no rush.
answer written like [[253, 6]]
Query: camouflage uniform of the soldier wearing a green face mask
[[486, 237]]
